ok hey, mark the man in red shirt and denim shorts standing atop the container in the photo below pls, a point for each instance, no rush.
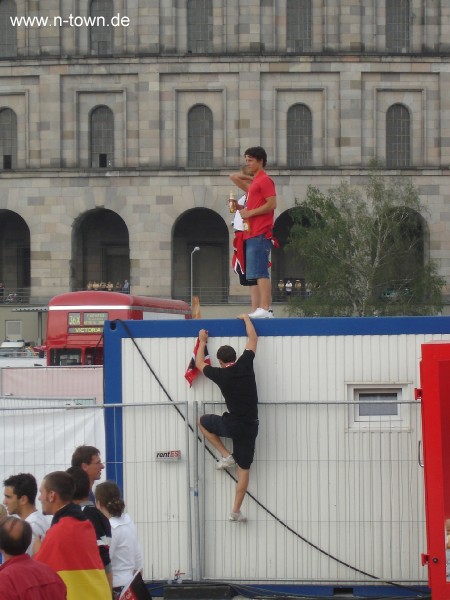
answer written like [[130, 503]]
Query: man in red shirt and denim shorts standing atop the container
[[258, 216]]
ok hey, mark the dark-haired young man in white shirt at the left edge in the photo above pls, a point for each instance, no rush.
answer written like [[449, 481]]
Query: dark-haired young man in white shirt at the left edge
[[19, 498]]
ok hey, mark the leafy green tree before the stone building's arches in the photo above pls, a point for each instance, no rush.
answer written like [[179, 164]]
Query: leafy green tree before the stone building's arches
[[364, 250]]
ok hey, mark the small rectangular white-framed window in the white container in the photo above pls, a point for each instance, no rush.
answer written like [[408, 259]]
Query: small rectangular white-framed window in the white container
[[379, 406]]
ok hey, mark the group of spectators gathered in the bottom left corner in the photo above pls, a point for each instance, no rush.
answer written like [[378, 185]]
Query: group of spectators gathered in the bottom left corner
[[88, 550]]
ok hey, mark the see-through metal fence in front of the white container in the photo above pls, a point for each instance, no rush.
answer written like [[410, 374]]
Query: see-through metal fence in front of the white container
[[327, 502]]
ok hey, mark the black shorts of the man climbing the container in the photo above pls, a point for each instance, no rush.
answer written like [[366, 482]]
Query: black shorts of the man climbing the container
[[243, 434]]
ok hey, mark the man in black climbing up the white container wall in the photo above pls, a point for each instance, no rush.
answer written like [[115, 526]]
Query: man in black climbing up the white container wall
[[236, 380]]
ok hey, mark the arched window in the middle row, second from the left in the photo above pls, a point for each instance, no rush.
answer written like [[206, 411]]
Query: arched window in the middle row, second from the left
[[102, 137]]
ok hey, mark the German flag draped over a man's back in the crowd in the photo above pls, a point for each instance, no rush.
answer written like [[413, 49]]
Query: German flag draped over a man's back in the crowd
[[70, 548]]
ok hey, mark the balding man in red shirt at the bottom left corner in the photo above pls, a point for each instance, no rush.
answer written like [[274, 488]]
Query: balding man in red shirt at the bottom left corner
[[21, 577]]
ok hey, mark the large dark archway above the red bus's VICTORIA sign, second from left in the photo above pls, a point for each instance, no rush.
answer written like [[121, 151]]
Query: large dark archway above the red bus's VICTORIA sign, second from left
[[100, 249]]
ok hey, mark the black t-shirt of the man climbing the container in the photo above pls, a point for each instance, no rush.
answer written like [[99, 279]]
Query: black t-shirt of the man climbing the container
[[238, 386]]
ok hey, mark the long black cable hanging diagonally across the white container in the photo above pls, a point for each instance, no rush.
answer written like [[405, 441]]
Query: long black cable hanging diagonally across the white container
[[258, 502]]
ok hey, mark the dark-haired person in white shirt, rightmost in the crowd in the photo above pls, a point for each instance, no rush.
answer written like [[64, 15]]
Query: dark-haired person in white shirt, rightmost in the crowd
[[125, 551]]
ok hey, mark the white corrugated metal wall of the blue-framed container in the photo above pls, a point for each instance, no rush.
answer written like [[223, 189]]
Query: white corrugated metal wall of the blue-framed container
[[331, 501]]
